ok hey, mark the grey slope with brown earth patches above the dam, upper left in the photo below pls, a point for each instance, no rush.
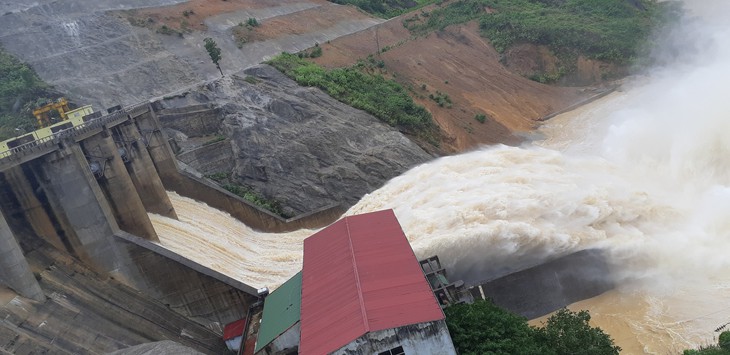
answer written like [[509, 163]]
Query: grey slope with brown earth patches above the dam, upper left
[[92, 53]]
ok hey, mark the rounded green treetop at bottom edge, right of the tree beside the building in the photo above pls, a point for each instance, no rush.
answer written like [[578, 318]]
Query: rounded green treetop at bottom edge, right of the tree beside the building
[[568, 332]]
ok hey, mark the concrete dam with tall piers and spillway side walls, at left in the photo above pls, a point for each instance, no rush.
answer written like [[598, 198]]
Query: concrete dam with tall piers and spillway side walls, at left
[[87, 192]]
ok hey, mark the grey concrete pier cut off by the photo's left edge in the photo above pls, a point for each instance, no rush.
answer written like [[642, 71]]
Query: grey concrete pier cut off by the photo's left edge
[[14, 269]]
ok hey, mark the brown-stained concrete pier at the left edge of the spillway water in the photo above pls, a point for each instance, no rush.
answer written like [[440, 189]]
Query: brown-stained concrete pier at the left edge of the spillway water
[[117, 186]]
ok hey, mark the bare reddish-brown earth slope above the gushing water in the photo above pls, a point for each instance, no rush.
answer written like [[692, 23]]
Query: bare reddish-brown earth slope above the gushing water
[[462, 64]]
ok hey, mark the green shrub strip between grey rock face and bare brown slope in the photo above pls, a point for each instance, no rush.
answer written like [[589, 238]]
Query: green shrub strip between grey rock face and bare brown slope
[[371, 92]]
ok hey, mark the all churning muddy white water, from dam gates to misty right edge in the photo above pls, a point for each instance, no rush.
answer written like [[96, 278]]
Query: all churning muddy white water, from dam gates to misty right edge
[[643, 174]]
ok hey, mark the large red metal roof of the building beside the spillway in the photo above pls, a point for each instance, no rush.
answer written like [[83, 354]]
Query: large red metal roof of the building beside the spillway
[[360, 275]]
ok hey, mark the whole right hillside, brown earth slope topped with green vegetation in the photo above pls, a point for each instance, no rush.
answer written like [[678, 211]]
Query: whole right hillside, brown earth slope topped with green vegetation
[[476, 65]]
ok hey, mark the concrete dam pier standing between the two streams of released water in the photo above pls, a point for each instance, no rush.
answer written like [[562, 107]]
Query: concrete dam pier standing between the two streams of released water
[[142, 171]]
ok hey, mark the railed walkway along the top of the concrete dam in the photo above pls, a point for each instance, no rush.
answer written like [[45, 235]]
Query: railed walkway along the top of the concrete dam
[[45, 145]]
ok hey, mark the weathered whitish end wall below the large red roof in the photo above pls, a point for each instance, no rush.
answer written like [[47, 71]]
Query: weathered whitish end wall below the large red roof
[[416, 339]]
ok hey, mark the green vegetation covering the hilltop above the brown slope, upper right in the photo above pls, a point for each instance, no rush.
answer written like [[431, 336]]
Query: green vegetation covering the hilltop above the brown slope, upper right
[[609, 30]]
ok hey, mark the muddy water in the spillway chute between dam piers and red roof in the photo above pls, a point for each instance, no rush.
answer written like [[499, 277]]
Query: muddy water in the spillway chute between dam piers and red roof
[[215, 239]]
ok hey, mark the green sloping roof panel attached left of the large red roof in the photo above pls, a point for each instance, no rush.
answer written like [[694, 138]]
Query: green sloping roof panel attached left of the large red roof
[[282, 309]]
